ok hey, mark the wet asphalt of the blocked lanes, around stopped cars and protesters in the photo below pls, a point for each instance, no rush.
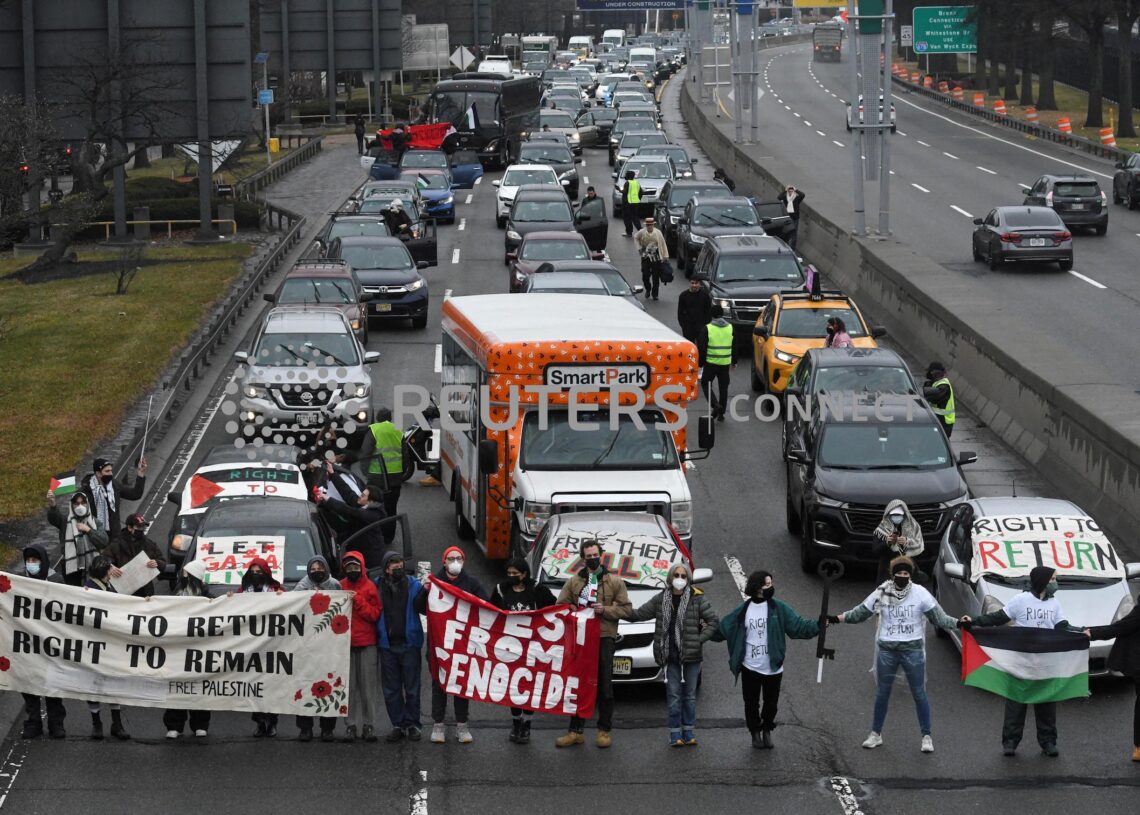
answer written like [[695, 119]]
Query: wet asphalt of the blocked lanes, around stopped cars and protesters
[[818, 765]]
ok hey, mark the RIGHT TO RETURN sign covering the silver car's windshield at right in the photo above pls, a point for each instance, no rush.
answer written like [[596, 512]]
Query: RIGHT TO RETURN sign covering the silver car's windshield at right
[[1013, 545]]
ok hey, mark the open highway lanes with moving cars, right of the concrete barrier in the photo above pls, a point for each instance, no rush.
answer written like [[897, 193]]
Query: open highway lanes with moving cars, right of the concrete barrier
[[949, 169]]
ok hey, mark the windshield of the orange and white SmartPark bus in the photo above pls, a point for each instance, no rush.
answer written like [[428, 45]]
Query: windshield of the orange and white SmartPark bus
[[561, 447]]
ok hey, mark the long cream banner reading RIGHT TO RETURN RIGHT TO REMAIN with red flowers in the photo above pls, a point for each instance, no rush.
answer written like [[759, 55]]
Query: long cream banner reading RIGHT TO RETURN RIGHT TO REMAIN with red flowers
[[265, 653]]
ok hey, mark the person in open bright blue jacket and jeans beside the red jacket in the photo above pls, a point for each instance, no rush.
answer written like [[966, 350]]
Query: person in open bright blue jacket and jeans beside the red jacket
[[401, 638]]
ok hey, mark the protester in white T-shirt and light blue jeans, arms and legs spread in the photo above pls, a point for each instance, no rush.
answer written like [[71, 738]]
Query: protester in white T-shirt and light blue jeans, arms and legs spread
[[901, 642]]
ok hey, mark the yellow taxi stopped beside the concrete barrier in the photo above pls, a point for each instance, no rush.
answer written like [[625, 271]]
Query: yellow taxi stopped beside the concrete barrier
[[795, 322]]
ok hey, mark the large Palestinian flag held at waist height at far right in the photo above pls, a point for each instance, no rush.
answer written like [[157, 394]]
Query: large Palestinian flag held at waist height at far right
[[1027, 665]]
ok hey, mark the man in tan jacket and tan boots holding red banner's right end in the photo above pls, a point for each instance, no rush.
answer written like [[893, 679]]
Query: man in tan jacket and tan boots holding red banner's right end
[[596, 588]]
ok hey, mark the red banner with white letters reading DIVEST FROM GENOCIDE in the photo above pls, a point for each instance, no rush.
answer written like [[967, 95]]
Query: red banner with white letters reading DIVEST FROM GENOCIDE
[[536, 661]]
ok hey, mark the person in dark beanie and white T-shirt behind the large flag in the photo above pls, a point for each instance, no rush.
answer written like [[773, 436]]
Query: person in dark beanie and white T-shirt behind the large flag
[[1036, 608]]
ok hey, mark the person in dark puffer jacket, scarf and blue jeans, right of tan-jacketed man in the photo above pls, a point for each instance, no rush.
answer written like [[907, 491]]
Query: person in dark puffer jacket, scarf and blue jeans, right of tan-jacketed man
[[685, 621]]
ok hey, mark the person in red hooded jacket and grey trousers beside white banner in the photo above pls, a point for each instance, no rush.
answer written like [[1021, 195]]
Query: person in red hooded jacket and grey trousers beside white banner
[[364, 683]]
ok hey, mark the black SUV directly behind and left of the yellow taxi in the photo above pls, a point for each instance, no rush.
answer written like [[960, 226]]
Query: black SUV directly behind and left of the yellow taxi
[[744, 272]]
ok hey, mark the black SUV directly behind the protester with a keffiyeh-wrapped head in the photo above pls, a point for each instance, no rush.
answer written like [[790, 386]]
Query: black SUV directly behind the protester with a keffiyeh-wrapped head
[[852, 459]]
